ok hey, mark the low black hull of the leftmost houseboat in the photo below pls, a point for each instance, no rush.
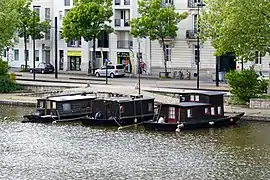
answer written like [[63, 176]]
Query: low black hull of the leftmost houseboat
[[49, 119]]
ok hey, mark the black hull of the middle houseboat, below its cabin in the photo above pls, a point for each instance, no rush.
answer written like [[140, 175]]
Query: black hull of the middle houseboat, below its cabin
[[87, 121]]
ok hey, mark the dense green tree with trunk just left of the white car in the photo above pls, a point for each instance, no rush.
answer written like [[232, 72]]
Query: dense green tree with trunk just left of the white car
[[88, 19]]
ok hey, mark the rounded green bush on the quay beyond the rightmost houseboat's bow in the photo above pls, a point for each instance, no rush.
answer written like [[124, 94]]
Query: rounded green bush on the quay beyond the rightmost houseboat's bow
[[245, 85]]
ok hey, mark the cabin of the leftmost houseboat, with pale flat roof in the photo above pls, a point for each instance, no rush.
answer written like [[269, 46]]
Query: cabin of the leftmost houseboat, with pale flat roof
[[65, 106]]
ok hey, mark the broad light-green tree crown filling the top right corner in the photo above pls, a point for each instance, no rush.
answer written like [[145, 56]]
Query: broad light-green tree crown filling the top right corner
[[238, 26]]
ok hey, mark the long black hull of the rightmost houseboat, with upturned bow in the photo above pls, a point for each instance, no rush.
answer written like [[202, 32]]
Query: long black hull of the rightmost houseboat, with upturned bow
[[225, 121]]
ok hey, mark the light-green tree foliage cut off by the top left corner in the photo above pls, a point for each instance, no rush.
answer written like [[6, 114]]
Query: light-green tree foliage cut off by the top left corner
[[9, 13]]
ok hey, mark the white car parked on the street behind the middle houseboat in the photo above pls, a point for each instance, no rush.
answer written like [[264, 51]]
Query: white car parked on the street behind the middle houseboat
[[113, 71]]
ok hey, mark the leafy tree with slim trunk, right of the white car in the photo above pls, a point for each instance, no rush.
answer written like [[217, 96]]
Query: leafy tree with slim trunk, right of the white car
[[158, 22]]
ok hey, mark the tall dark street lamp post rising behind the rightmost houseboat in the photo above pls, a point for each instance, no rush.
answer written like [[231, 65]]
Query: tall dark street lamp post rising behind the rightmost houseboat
[[197, 60]]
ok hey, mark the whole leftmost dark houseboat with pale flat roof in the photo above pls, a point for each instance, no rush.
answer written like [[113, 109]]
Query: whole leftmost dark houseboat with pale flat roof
[[61, 108]]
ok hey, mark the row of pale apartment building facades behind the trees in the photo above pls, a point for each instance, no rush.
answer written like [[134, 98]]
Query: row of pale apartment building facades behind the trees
[[120, 47]]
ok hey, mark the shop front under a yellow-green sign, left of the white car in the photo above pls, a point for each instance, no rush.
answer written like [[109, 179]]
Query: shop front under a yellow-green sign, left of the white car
[[74, 59]]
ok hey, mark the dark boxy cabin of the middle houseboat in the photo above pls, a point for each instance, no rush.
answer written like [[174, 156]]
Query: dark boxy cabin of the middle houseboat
[[134, 106]]
